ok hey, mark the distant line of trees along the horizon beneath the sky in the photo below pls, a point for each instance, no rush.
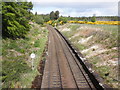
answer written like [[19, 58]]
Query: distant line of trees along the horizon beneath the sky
[[41, 18]]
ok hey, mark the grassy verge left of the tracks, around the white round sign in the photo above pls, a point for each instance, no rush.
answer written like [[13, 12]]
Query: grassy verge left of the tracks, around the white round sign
[[16, 61]]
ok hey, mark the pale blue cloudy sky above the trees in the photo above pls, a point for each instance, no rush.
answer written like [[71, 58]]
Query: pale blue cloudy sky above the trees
[[77, 8]]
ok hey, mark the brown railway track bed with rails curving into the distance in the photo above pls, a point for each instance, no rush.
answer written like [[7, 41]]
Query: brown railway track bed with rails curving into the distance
[[63, 68]]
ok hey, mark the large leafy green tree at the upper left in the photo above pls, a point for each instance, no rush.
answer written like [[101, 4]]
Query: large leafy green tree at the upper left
[[15, 18]]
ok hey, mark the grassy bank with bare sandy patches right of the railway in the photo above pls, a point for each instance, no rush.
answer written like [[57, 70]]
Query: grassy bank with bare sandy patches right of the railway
[[98, 43]]
